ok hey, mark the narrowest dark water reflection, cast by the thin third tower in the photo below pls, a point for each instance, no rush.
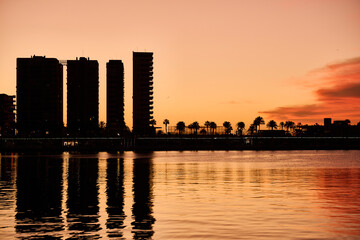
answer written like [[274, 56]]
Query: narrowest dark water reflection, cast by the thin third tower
[[115, 197]]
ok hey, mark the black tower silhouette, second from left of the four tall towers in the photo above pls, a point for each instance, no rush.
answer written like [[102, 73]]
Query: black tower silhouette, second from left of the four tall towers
[[82, 96]]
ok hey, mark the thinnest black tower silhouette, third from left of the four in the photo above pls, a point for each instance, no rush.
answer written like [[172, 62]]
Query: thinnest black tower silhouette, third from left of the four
[[115, 96]]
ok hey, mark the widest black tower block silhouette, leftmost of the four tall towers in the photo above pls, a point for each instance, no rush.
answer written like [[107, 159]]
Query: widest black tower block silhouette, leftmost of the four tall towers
[[39, 96]]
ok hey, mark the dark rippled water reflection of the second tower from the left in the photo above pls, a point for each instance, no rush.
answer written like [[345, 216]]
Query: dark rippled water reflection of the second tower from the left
[[82, 199]]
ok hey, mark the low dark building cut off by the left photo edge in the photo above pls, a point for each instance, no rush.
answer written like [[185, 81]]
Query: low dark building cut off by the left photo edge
[[7, 115]]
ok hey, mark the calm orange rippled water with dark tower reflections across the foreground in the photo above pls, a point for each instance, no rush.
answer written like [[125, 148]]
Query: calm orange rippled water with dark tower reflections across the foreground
[[182, 195]]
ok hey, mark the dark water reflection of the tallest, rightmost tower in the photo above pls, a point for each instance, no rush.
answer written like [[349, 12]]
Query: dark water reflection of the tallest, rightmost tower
[[143, 198]]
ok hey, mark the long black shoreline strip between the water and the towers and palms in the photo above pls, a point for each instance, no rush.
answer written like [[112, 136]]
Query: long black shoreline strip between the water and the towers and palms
[[148, 144]]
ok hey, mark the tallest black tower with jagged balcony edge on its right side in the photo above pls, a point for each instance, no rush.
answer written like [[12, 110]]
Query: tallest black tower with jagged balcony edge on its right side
[[142, 92]]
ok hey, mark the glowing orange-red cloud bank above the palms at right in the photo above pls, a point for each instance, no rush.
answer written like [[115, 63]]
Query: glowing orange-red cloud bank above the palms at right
[[337, 90]]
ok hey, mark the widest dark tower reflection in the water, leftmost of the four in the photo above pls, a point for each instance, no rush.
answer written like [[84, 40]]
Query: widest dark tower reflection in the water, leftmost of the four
[[39, 196]]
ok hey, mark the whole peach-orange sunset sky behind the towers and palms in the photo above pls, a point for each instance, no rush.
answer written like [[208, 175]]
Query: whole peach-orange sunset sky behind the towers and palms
[[214, 60]]
